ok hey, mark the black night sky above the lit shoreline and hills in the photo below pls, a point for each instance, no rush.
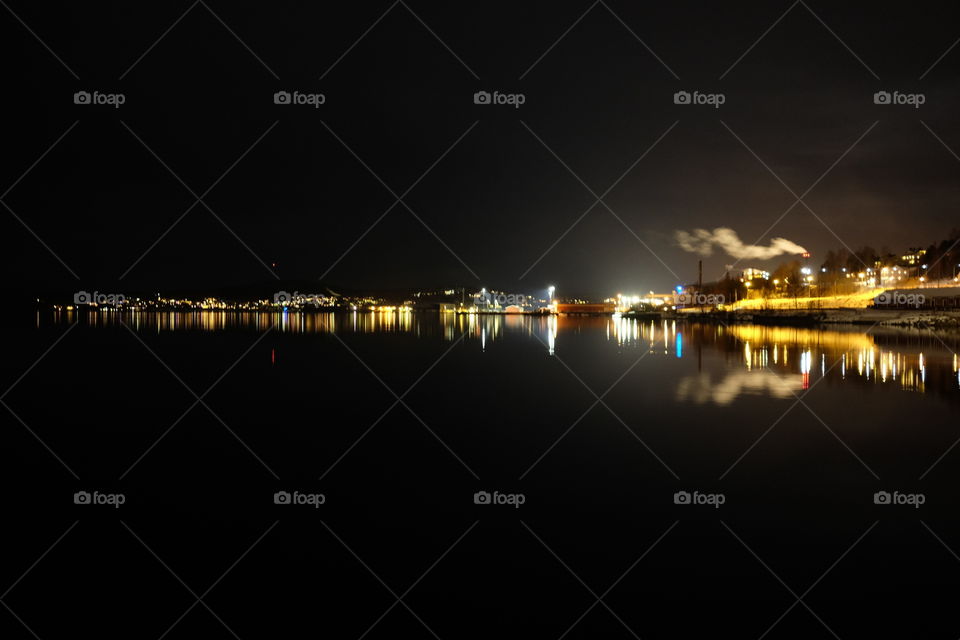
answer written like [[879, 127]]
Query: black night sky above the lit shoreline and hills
[[492, 206]]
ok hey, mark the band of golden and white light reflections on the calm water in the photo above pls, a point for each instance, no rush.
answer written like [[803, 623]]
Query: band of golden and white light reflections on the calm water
[[778, 362]]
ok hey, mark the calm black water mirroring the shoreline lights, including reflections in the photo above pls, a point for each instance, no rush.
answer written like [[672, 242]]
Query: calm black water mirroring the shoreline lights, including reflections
[[655, 480]]
